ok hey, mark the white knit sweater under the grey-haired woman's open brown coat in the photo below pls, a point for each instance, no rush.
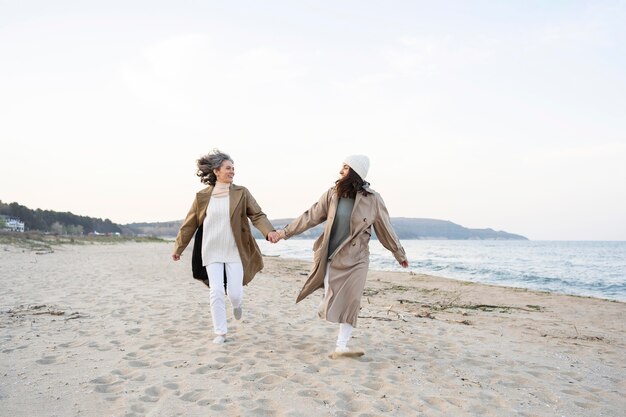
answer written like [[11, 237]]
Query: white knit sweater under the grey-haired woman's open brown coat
[[218, 241]]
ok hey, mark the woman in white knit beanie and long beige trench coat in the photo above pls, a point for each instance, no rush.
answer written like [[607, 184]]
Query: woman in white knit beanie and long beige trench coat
[[341, 258]]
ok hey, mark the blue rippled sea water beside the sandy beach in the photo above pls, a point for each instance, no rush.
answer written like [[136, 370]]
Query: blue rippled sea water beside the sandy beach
[[596, 269]]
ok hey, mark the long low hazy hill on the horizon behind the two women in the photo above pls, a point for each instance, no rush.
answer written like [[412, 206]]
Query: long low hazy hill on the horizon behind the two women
[[406, 228]]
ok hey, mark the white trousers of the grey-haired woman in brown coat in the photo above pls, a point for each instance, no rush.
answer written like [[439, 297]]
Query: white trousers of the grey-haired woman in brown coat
[[234, 272]]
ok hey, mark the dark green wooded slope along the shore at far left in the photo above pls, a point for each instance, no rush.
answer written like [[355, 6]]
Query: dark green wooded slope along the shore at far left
[[58, 222]]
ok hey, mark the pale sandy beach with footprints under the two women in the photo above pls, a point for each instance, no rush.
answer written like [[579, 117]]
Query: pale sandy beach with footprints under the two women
[[121, 330]]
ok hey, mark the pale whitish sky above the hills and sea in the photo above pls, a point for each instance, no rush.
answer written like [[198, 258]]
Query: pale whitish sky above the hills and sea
[[502, 114]]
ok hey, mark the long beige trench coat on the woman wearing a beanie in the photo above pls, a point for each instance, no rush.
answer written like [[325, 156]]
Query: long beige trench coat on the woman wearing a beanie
[[349, 266]]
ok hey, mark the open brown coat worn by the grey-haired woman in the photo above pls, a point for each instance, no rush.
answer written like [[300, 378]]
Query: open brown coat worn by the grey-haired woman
[[242, 207]]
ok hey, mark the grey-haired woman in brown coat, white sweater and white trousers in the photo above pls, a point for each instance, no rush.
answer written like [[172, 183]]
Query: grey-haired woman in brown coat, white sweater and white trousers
[[229, 252]]
